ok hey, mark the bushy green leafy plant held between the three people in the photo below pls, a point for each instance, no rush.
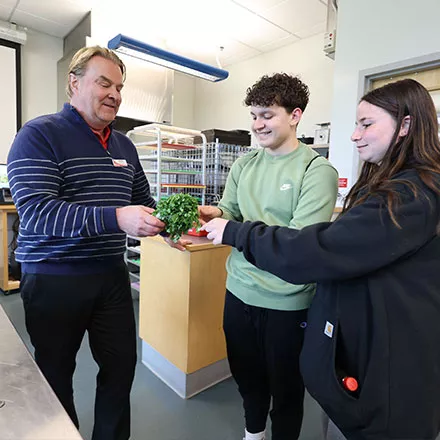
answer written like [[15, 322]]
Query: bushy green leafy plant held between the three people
[[179, 213]]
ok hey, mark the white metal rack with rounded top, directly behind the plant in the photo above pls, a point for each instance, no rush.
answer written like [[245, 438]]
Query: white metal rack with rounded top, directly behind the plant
[[171, 160]]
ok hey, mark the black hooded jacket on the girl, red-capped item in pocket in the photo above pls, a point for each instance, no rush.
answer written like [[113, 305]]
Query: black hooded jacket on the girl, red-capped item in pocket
[[379, 287]]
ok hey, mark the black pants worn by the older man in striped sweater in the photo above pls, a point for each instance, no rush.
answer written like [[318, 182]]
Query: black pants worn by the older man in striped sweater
[[58, 310]]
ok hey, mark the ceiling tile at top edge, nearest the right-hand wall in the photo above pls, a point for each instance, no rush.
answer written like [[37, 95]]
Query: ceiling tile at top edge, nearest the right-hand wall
[[295, 17]]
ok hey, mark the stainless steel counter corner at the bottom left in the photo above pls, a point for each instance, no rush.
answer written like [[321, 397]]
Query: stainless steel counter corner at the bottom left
[[31, 410]]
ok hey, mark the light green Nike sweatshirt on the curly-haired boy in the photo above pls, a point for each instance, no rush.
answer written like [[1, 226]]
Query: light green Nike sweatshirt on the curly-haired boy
[[276, 190]]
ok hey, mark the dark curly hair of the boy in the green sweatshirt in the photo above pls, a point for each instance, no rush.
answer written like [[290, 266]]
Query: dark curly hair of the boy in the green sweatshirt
[[280, 88]]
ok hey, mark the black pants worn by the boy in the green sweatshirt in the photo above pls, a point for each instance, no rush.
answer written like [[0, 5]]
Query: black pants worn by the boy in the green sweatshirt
[[263, 351]]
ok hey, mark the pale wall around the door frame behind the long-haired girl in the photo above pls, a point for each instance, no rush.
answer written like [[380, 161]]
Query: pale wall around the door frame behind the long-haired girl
[[373, 34]]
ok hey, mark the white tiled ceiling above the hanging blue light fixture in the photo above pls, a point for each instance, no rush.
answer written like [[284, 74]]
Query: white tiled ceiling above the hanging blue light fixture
[[194, 28]]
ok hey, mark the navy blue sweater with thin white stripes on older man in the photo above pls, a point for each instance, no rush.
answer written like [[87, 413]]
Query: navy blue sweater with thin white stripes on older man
[[66, 188]]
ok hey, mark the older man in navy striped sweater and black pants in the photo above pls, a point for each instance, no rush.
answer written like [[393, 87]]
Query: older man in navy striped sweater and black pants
[[79, 188]]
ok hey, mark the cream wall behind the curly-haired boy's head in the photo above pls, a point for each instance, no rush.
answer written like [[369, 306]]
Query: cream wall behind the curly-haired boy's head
[[220, 105]]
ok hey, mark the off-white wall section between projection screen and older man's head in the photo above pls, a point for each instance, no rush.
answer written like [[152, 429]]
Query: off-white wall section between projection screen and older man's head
[[39, 60]]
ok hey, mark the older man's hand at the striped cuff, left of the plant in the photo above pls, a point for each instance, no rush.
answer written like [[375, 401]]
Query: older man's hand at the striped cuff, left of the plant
[[138, 221]]
